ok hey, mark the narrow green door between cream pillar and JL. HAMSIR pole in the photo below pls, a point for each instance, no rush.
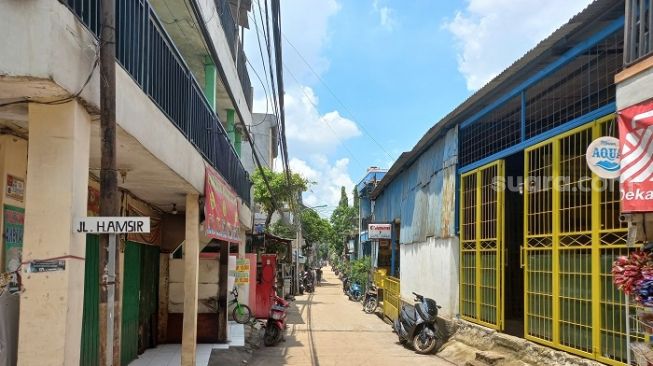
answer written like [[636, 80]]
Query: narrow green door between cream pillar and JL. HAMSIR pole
[[90, 349]]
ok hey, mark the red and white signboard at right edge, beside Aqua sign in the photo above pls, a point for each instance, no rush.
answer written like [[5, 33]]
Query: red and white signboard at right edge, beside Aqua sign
[[636, 142]]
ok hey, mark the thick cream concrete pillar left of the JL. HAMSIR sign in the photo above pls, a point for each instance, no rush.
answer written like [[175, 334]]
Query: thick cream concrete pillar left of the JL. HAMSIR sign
[[57, 184]]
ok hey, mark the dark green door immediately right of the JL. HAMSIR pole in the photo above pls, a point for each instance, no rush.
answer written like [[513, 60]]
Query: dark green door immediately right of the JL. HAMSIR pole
[[130, 302]]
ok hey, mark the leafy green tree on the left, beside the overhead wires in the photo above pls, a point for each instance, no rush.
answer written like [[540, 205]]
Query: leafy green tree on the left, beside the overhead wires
[[280, 192]]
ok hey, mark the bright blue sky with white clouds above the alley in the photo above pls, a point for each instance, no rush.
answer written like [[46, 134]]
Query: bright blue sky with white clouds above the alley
[[386, 71]]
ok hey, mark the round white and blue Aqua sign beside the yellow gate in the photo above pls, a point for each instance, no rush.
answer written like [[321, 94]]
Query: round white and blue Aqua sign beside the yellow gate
[[603, 157]]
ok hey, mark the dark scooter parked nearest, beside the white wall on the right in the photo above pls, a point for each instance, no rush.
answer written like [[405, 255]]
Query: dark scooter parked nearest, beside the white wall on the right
[[417, 325]]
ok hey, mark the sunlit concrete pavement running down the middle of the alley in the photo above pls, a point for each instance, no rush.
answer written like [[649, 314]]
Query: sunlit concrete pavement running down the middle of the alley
[[326, 329]]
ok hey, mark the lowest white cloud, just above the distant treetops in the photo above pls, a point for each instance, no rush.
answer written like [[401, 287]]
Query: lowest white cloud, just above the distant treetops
[[330, 177]]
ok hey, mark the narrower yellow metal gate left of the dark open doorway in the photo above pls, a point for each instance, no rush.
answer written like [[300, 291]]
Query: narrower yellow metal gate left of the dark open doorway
[[481, 235]]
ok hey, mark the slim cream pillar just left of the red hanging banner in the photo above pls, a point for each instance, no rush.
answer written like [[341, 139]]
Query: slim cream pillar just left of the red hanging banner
[[191, 278]]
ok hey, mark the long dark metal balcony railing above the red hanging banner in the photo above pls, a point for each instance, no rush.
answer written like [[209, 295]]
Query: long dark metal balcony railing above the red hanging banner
[[146, 51]]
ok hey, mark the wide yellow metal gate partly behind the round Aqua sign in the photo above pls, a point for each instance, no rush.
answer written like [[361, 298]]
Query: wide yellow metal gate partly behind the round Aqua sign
[[572, 236]]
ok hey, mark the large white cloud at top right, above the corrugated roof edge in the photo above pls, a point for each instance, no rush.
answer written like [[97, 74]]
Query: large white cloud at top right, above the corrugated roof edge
[[491, 34]]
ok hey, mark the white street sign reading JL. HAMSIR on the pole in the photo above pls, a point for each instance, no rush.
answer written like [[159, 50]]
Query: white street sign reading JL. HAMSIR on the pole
[[112, 225]]
